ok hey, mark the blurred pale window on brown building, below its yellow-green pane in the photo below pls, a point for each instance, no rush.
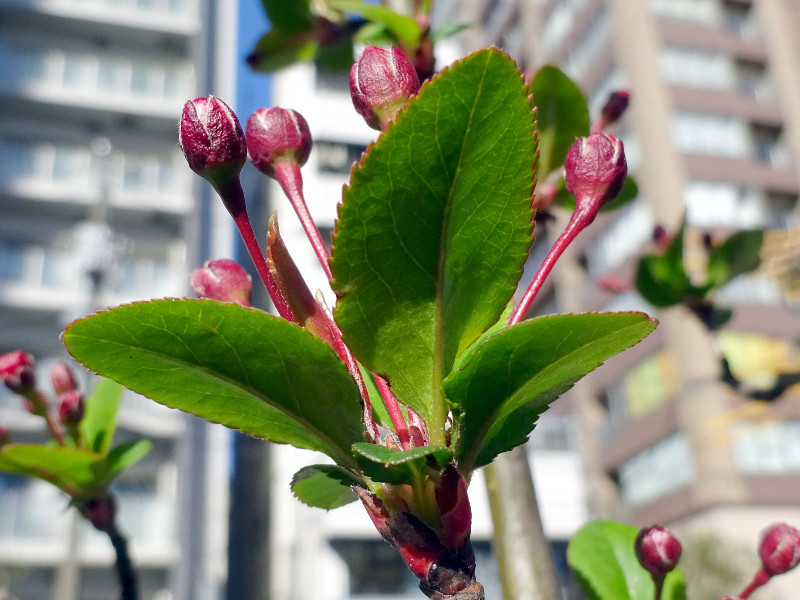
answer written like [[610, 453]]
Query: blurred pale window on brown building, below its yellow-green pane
[[656, 471]]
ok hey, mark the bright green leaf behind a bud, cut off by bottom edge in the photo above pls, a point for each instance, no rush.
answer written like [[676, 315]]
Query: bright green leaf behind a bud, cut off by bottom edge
[[603, 557]]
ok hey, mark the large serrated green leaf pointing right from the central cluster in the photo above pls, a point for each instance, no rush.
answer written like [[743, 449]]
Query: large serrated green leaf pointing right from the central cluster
[[513, 376]]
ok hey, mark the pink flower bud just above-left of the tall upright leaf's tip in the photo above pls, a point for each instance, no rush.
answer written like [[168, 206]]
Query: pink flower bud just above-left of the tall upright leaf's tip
[[381, 82]]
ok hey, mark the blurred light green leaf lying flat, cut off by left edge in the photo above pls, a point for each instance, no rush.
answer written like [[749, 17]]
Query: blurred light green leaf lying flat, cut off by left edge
[[73, 470]]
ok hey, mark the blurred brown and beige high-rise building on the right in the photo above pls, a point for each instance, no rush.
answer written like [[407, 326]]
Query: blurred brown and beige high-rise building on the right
[[713, 133]]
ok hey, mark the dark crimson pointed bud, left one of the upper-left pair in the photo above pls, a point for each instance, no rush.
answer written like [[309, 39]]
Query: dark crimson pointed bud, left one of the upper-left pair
[[212, 140]]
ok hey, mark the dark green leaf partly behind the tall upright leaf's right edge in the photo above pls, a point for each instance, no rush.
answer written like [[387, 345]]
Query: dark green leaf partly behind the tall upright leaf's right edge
[[561, 115]]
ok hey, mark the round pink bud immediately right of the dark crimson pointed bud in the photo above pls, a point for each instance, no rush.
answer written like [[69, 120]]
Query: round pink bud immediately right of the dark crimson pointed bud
[[277, 135]]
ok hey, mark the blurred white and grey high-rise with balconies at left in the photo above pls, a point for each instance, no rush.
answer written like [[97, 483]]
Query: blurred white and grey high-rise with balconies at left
[[97, 207]]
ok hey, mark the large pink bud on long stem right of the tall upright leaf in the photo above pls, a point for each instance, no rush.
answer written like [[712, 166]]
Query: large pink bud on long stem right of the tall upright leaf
[[595, 170]]
